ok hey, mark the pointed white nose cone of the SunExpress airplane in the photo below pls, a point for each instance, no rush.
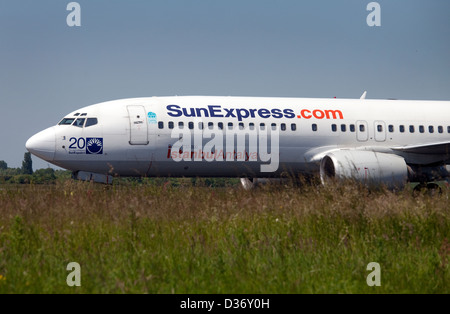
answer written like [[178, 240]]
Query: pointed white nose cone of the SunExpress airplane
[[43, 144]]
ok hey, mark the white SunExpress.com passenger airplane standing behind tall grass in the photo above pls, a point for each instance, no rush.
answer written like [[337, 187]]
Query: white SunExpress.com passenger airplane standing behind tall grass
[[388, 142]]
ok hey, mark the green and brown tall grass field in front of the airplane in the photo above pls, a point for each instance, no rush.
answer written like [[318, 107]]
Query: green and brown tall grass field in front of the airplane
[[161, 239]]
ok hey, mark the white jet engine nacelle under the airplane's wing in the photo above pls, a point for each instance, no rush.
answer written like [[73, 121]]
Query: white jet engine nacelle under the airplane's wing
[[368, 167]]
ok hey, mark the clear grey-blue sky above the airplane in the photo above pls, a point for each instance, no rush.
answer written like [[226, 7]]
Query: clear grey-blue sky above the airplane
[[143, 48]]
